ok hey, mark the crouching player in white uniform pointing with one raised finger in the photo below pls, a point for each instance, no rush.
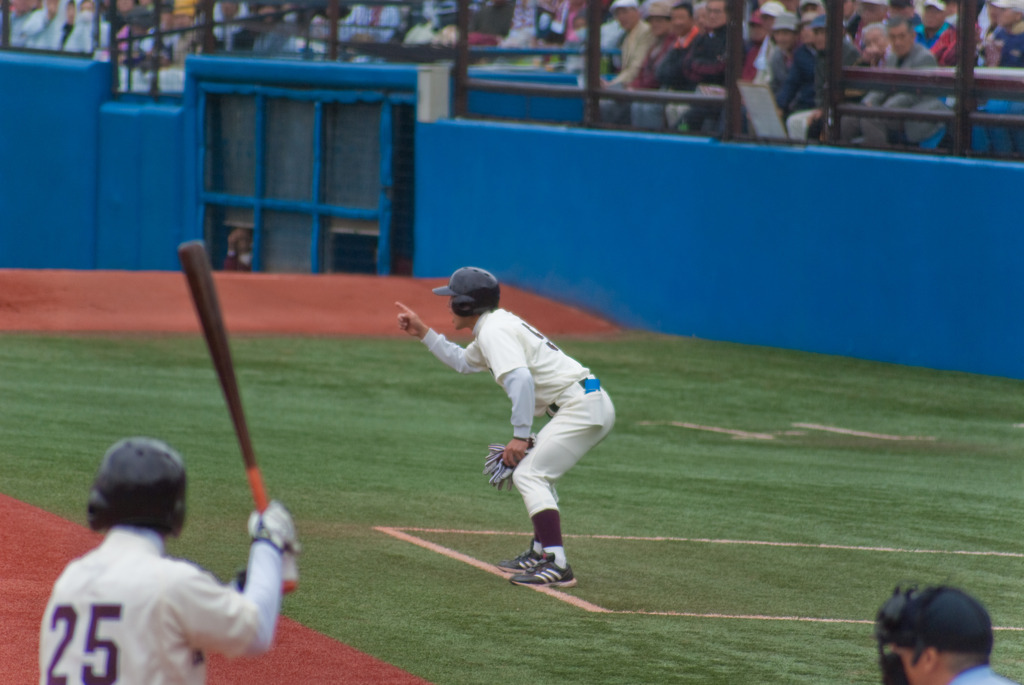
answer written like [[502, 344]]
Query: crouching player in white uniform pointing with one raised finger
[[539, 378]]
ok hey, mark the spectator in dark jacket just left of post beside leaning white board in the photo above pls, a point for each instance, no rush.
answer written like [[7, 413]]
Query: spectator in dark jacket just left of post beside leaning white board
[[705, 66]]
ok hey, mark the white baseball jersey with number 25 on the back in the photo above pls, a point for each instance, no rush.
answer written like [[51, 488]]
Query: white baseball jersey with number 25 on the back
[[126, 615]]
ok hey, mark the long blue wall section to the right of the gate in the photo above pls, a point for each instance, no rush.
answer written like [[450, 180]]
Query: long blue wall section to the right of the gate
[[907, 260]]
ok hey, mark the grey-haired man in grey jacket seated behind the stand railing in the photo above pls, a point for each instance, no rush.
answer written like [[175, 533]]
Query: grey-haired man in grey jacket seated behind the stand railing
[[907, 54]]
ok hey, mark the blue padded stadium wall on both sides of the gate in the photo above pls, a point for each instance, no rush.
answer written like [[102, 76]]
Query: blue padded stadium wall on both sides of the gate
[[897, 259]]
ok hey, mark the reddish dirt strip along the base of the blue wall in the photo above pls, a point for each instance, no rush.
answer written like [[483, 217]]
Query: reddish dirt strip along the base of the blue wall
[[65, 302]]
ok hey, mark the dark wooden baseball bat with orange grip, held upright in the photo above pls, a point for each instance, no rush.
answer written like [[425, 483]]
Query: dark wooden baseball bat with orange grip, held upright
[[196, 266]]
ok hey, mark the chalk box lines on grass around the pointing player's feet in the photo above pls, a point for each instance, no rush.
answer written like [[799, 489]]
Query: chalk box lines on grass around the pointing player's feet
[[403, 535]]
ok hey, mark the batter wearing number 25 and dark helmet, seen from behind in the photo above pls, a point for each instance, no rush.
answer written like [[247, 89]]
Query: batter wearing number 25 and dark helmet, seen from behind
[[125, 614]]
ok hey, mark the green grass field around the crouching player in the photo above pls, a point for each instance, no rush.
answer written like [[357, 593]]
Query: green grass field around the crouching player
[[355, 435]]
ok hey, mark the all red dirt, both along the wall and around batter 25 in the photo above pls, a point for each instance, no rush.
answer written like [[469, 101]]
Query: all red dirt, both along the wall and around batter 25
[[37, 545]]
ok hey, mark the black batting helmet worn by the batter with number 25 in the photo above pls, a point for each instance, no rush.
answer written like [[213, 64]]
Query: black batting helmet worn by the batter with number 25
[[142, 482]]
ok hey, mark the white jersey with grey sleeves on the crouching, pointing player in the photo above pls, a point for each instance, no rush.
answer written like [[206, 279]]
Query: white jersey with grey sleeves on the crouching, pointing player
[[504, 342]]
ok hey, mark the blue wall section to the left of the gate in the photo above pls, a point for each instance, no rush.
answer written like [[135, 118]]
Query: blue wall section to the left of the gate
[[86, 182]]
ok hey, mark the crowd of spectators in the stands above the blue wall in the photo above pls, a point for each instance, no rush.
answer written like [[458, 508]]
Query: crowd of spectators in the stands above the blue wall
[[651, 46]]
